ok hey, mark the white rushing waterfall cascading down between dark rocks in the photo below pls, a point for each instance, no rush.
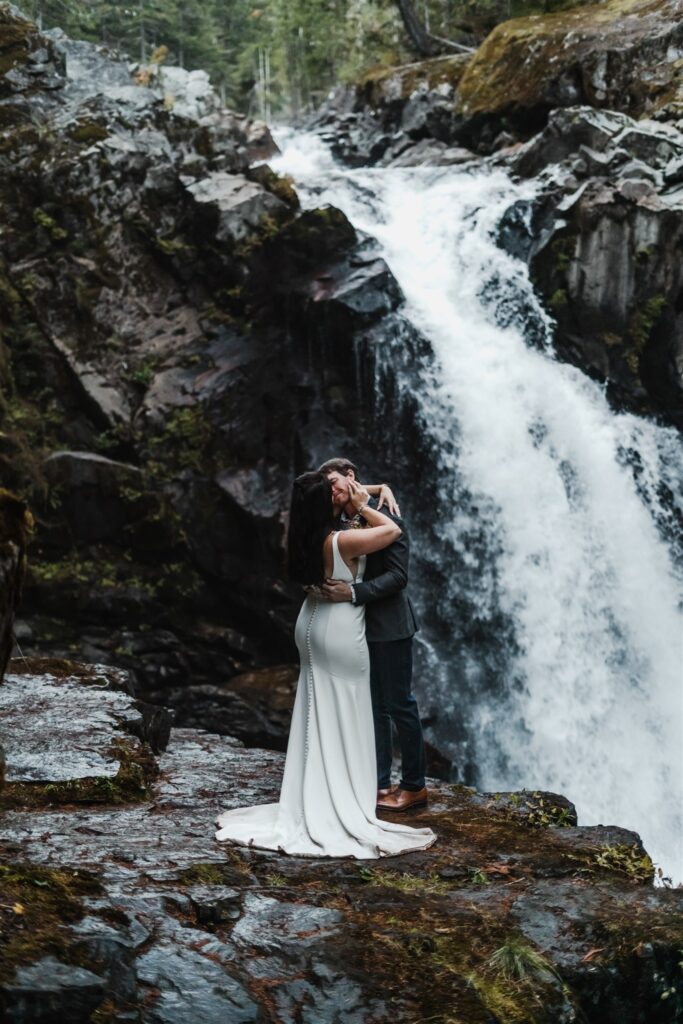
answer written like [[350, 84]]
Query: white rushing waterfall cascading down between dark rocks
[[582, 568]]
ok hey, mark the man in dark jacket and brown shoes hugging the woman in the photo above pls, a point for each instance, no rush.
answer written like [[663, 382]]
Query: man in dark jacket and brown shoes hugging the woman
[[391, 625]]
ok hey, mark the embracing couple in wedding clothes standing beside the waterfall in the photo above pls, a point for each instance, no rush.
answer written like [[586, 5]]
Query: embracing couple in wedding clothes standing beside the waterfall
[[355, 637]]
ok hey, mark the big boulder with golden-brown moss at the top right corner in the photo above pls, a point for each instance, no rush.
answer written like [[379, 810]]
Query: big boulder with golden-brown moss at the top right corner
[[615, 55]]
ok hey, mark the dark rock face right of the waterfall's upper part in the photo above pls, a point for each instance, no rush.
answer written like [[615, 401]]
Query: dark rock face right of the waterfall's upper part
[[604, 238]]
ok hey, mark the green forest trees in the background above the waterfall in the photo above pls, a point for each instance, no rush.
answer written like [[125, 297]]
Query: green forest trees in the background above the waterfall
[[278, 57]]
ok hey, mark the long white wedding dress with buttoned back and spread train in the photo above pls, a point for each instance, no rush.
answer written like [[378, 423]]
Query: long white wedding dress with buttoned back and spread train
[[329, 790]]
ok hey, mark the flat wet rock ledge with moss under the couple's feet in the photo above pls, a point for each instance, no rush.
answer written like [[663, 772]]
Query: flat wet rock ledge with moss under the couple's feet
[[132, 909]]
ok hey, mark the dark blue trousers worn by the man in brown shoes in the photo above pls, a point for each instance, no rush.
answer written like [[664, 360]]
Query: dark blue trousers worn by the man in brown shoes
[[391, 679]]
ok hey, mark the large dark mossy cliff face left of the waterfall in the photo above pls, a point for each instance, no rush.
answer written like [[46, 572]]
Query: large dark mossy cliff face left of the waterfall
[[185, 340]]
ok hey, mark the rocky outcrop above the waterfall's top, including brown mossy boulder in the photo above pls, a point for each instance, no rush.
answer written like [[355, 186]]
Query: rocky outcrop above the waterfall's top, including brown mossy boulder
[[620, 55]]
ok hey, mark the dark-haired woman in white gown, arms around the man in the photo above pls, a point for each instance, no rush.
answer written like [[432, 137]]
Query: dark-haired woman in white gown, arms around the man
[[329, 790]]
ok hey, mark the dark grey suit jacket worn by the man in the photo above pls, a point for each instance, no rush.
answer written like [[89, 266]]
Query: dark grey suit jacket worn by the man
[[390, 612]]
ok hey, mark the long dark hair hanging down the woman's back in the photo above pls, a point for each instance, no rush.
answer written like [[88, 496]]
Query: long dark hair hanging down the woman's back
[[312, 519]]
